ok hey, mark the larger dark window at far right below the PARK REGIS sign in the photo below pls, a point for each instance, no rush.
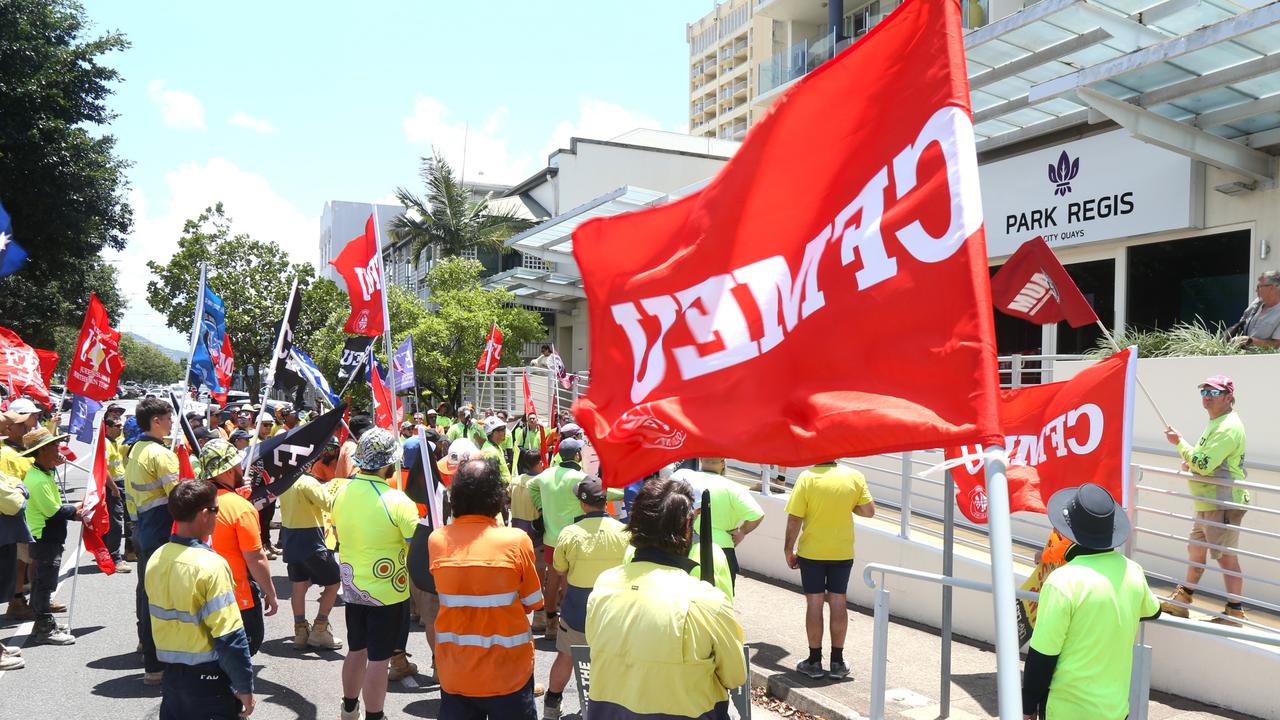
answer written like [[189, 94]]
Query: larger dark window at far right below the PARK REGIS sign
[[1183, 280]]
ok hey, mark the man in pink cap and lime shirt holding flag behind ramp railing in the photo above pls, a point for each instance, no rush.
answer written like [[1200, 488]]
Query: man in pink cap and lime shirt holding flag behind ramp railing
[[1219, 455]]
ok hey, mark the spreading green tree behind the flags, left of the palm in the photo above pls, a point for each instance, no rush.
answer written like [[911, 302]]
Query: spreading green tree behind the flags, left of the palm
[[253, 277]]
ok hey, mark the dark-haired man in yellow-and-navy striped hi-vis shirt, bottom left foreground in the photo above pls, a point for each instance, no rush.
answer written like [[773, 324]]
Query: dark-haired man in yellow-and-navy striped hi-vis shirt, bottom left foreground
[[195, 619]]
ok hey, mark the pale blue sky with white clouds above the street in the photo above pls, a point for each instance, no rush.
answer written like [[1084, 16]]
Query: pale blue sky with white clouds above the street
[[275, 108]]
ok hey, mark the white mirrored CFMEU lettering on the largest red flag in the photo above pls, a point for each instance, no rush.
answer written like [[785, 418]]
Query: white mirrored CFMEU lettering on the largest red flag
[[712, 315]]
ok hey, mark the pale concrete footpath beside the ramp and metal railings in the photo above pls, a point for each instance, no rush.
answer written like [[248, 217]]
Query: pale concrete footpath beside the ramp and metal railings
[[772, 619]]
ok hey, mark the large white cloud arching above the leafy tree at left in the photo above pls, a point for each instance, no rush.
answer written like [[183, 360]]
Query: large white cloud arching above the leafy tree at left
[[254, 207]]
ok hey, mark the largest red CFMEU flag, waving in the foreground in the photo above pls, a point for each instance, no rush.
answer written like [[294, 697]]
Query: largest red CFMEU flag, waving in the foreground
[[835, 274]]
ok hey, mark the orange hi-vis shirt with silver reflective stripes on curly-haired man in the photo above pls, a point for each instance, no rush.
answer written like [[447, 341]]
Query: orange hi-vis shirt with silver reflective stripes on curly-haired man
[[488, 584]]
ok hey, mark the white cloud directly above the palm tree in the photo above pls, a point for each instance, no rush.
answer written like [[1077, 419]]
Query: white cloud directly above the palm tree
[[488, 156]]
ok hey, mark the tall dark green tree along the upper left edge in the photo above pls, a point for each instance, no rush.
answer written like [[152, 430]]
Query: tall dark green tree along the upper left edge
[[62, 186]]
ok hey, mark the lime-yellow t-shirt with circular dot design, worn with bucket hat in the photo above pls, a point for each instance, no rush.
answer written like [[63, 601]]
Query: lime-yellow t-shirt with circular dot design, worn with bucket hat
[[374, 525]]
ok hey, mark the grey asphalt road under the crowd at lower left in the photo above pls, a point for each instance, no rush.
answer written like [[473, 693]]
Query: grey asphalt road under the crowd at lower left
[[102, 675]]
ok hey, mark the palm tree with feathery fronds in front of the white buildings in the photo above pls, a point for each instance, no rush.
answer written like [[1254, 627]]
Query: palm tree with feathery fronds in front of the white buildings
[[449, 220]]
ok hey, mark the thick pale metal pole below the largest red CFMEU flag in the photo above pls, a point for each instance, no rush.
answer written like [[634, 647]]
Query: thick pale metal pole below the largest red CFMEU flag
[[1008, 677]]
